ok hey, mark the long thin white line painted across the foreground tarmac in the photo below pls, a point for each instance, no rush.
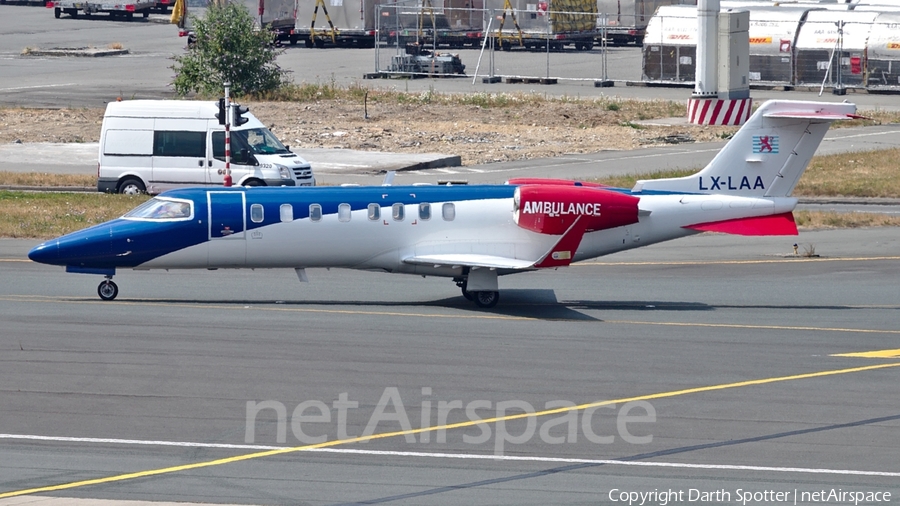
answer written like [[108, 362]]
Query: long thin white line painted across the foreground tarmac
[[461, 456]]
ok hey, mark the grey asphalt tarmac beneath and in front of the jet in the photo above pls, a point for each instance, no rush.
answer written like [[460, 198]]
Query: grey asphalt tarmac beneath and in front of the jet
[[723, 349]]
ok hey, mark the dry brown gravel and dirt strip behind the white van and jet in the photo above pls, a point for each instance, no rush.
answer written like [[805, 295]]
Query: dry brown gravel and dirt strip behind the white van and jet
[[479, 135]]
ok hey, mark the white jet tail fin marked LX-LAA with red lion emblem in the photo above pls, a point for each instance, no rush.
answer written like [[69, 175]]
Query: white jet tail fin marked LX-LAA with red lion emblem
[[767, 156]]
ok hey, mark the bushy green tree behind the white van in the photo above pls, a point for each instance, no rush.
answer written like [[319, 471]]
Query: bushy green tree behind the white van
[[228, 47]]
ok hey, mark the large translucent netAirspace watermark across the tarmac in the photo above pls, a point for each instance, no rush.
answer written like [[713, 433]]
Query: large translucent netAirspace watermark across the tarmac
[[311, 420]]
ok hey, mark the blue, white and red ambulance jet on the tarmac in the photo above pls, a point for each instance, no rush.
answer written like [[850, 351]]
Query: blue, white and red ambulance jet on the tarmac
[[472, 234]]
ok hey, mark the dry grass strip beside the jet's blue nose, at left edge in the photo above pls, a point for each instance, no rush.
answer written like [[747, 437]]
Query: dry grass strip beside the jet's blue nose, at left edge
[[48, 215]]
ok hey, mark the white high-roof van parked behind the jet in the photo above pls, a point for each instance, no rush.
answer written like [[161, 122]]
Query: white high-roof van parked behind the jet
[[155, 145]]
